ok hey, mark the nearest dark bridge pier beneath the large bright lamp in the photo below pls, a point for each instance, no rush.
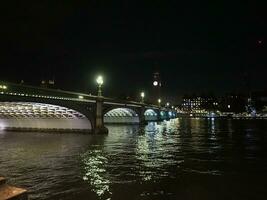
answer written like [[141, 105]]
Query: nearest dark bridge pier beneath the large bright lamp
[[99, 118]]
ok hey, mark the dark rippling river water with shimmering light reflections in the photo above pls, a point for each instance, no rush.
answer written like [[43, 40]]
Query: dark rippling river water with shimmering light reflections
[[180, 159]]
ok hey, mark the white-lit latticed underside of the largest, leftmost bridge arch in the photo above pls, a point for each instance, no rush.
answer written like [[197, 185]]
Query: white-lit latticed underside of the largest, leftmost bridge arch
[[40, 116]]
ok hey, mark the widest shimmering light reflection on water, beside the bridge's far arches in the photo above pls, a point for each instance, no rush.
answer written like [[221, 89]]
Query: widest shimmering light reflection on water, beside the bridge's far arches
[[155, 149]]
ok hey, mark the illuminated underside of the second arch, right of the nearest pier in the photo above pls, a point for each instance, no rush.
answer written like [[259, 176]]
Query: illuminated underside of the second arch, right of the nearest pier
[[121, 116]]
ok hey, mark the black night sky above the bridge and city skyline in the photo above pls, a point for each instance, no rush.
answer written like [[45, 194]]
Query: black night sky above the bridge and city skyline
[[197, 46]]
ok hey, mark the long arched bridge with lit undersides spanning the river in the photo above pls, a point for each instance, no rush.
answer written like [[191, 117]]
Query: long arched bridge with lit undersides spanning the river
[[36, 108]]
